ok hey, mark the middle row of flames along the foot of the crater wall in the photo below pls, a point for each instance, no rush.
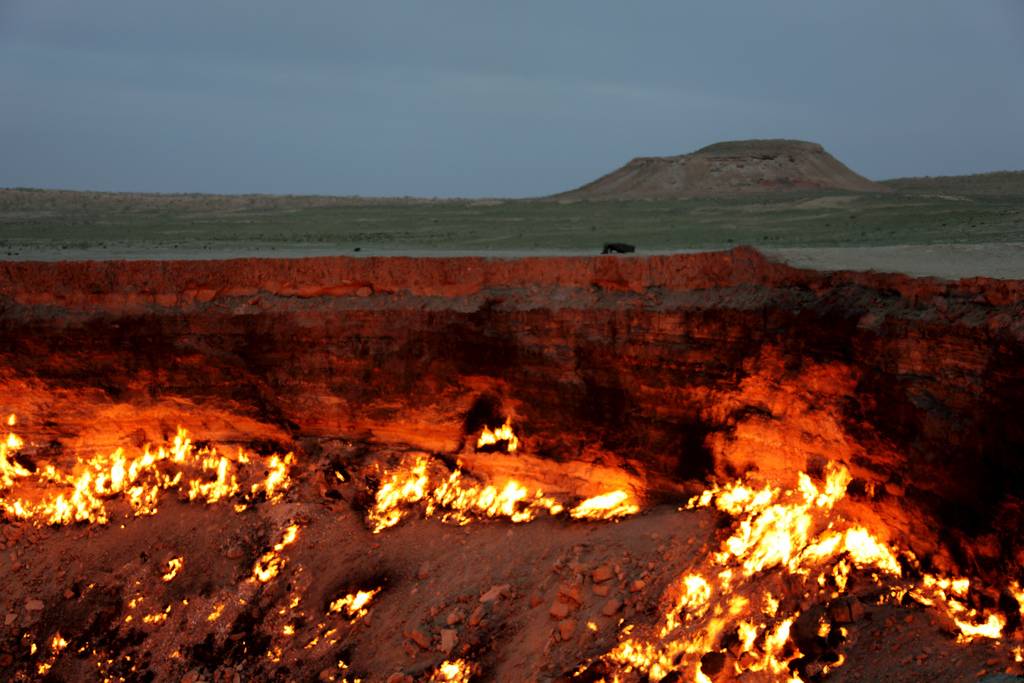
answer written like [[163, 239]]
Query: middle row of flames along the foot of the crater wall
[[456, 497]]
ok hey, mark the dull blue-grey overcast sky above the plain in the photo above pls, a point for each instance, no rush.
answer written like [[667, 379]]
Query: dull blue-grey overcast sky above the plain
[[476, 98]]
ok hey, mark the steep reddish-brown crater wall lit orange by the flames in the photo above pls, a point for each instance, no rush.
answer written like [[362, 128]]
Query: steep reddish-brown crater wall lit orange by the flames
[[660, 373]]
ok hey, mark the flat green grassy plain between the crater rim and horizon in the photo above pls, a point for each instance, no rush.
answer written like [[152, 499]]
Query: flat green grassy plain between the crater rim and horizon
[[920, 211]]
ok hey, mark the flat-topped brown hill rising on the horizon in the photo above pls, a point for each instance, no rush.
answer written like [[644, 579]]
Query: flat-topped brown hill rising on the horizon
[[742, 167]]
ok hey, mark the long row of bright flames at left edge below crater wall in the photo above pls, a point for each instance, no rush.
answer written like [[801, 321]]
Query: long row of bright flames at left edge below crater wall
[[50, 494]]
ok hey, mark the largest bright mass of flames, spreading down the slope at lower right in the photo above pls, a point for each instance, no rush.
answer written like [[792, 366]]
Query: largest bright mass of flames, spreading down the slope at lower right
[[741, 602]]
